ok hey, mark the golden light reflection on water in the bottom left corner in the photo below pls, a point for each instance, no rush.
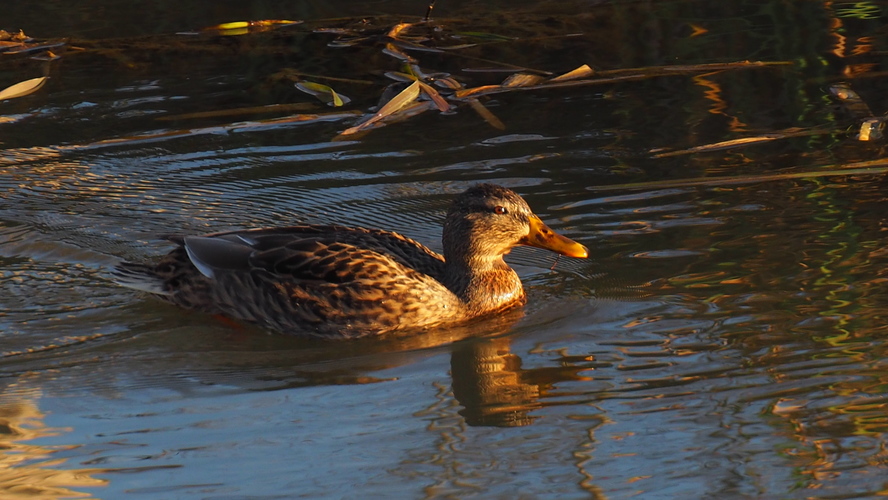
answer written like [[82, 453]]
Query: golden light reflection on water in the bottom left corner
[[28, 470]]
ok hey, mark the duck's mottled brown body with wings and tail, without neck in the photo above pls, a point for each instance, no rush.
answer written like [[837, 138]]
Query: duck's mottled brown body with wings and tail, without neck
[[308, 280]]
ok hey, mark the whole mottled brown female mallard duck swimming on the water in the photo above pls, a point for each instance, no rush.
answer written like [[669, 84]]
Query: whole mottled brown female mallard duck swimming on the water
[[334, 281]]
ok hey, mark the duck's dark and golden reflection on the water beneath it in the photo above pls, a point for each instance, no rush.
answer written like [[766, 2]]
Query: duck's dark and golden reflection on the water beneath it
[[487, 378]]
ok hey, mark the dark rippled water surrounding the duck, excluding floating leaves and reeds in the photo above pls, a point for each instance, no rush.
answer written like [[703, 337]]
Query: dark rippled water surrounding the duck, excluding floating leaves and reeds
[[725, 339]]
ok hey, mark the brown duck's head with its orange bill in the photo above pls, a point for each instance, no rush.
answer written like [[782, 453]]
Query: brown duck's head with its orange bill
[[487, 220]]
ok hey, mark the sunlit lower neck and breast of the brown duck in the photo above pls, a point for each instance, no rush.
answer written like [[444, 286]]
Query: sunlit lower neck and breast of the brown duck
[[484, 285]]
